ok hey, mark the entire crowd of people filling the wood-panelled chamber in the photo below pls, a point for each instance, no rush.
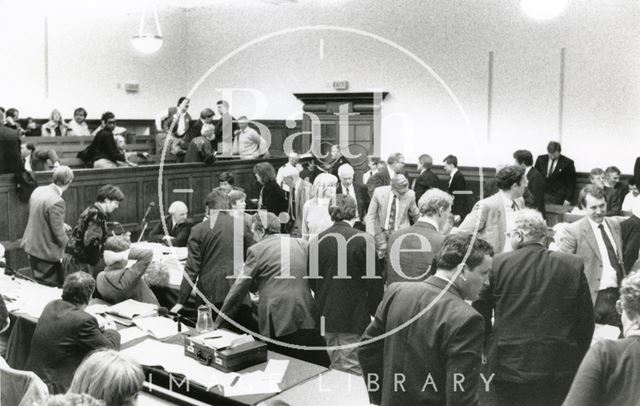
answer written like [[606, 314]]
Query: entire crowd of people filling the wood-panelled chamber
[[426, 283]]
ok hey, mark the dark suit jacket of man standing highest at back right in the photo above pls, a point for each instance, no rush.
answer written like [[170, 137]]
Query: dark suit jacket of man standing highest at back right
[[561, 184]]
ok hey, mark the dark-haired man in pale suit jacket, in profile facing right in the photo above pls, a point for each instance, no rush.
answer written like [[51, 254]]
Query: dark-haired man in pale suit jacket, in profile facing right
[[493, 216]]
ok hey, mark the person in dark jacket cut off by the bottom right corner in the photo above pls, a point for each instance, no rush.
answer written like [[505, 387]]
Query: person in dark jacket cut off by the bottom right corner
[[610, 372]]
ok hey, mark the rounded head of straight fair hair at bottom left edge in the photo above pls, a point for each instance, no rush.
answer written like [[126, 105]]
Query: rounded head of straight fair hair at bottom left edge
[[109, 376]]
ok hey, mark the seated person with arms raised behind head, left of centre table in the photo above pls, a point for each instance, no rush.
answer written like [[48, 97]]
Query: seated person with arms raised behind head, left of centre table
[[119, 281]]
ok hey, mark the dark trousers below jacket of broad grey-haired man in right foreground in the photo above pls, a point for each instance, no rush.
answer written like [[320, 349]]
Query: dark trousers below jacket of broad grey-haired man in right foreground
[[547, 392]]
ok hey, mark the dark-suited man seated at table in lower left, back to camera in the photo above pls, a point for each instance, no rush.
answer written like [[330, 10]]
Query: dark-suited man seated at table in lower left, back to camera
[[66, 334]]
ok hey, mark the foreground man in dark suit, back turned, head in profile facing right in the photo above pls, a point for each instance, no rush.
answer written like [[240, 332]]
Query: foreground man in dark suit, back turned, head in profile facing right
[[423, 363]]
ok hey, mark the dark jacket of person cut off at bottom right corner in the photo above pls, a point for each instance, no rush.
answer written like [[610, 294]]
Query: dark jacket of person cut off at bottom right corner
[[608, 375]]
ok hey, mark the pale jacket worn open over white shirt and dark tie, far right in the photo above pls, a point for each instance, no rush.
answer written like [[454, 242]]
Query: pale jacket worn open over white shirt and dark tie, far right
[[580, 240]]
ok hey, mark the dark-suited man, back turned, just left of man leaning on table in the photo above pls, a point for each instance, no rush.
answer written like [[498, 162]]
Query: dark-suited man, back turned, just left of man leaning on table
[[215, 252]]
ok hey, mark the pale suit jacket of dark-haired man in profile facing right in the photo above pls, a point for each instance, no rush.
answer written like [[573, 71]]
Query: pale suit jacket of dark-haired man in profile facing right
[[492, 218]]
